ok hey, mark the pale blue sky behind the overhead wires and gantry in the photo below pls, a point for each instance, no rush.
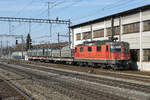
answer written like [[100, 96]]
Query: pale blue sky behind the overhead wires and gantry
[[77, 10]]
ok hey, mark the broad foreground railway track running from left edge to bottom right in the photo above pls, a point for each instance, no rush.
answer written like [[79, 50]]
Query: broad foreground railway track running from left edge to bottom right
[[72, 89]]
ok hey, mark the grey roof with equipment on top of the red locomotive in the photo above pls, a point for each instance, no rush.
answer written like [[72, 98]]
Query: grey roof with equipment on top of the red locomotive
[[88, 43]]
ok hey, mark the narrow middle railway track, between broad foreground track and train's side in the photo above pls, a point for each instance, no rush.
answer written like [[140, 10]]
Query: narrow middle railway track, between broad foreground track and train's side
[[101, 80]]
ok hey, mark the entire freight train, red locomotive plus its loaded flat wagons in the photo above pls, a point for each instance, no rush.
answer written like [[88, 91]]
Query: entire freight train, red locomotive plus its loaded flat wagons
[[107, 54]]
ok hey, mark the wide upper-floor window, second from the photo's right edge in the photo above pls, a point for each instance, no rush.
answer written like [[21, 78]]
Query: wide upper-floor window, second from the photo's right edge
[[131, 28]]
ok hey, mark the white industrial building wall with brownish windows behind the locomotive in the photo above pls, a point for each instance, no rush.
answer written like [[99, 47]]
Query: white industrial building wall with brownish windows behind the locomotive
[[132, 26]]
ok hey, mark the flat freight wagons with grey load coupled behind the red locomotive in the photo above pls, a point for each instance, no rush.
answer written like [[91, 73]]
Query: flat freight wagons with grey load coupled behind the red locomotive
[[62, 54]]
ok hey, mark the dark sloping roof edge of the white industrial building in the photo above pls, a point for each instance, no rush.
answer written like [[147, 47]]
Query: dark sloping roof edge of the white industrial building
[[132, 11]]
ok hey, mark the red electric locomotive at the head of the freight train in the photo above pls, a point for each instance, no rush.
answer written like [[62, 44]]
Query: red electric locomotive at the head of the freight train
[[108, 54]]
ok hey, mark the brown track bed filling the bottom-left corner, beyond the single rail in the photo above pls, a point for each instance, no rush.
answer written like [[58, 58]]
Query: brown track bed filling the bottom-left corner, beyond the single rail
[[10, 92]]
